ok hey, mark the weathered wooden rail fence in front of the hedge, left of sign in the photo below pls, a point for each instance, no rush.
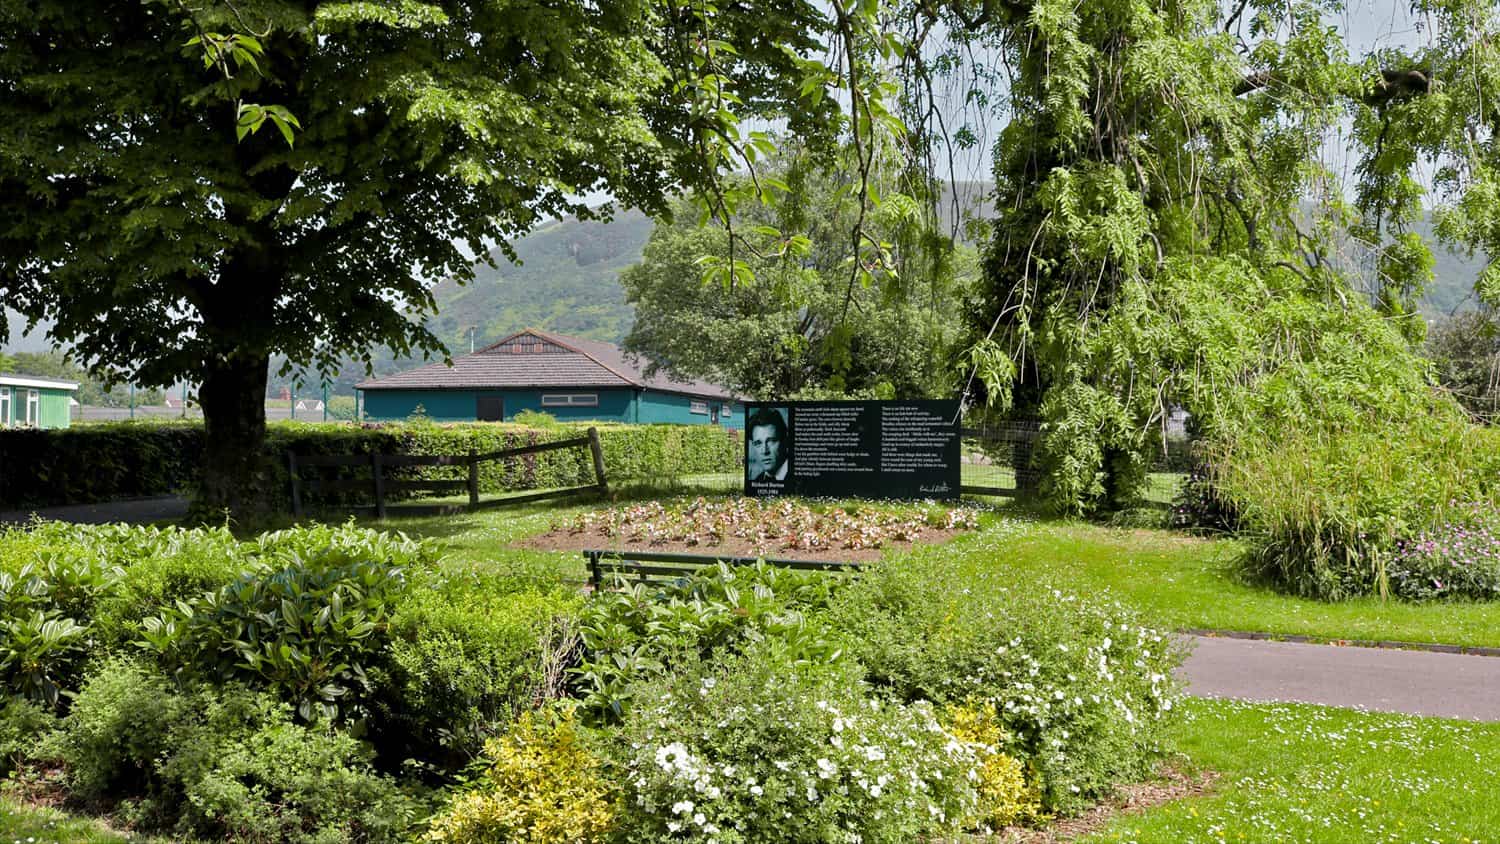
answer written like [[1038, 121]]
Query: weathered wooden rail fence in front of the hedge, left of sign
[[380, 486]]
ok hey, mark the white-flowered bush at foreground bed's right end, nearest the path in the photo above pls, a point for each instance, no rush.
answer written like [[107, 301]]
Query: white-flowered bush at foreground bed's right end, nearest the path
[[1082, 690]]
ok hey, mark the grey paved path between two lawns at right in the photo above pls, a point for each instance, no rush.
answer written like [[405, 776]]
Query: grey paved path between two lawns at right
[[1420, 683]]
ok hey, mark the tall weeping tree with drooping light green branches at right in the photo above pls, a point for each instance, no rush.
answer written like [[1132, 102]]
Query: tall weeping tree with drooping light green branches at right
[[1168, 230]]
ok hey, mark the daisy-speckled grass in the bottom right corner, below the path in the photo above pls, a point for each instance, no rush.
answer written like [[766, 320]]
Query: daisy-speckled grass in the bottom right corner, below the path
[[1321, 776]]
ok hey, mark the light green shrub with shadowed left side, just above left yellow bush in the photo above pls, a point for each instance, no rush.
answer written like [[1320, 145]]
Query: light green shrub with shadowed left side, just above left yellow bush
[[466, 653]]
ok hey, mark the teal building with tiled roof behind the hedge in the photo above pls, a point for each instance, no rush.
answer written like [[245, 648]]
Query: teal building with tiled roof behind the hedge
[[568, 377]]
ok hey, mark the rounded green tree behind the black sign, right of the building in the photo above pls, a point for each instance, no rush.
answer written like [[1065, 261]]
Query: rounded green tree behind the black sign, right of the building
[[799, 325]]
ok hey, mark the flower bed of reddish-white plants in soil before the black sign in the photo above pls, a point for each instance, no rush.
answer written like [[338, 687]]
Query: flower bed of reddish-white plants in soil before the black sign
[[748, 527]]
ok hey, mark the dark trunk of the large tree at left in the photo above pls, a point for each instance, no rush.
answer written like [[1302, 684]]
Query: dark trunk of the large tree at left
[[236, 480]]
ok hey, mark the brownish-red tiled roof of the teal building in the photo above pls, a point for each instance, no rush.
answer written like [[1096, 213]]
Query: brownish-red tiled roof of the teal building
[[578, 364]]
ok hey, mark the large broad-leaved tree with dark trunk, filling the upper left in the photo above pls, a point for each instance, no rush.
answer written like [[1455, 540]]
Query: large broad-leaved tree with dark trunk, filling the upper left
[[170, 242]]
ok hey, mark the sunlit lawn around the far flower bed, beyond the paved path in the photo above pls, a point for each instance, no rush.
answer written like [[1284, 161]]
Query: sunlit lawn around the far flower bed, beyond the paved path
[[1175, 579]]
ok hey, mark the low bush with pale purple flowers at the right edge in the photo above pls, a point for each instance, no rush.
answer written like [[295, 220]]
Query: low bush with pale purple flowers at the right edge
[[1459, 560]]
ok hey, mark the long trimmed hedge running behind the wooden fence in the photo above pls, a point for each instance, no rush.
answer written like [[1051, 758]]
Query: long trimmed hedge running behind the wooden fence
[[104, 462]]
